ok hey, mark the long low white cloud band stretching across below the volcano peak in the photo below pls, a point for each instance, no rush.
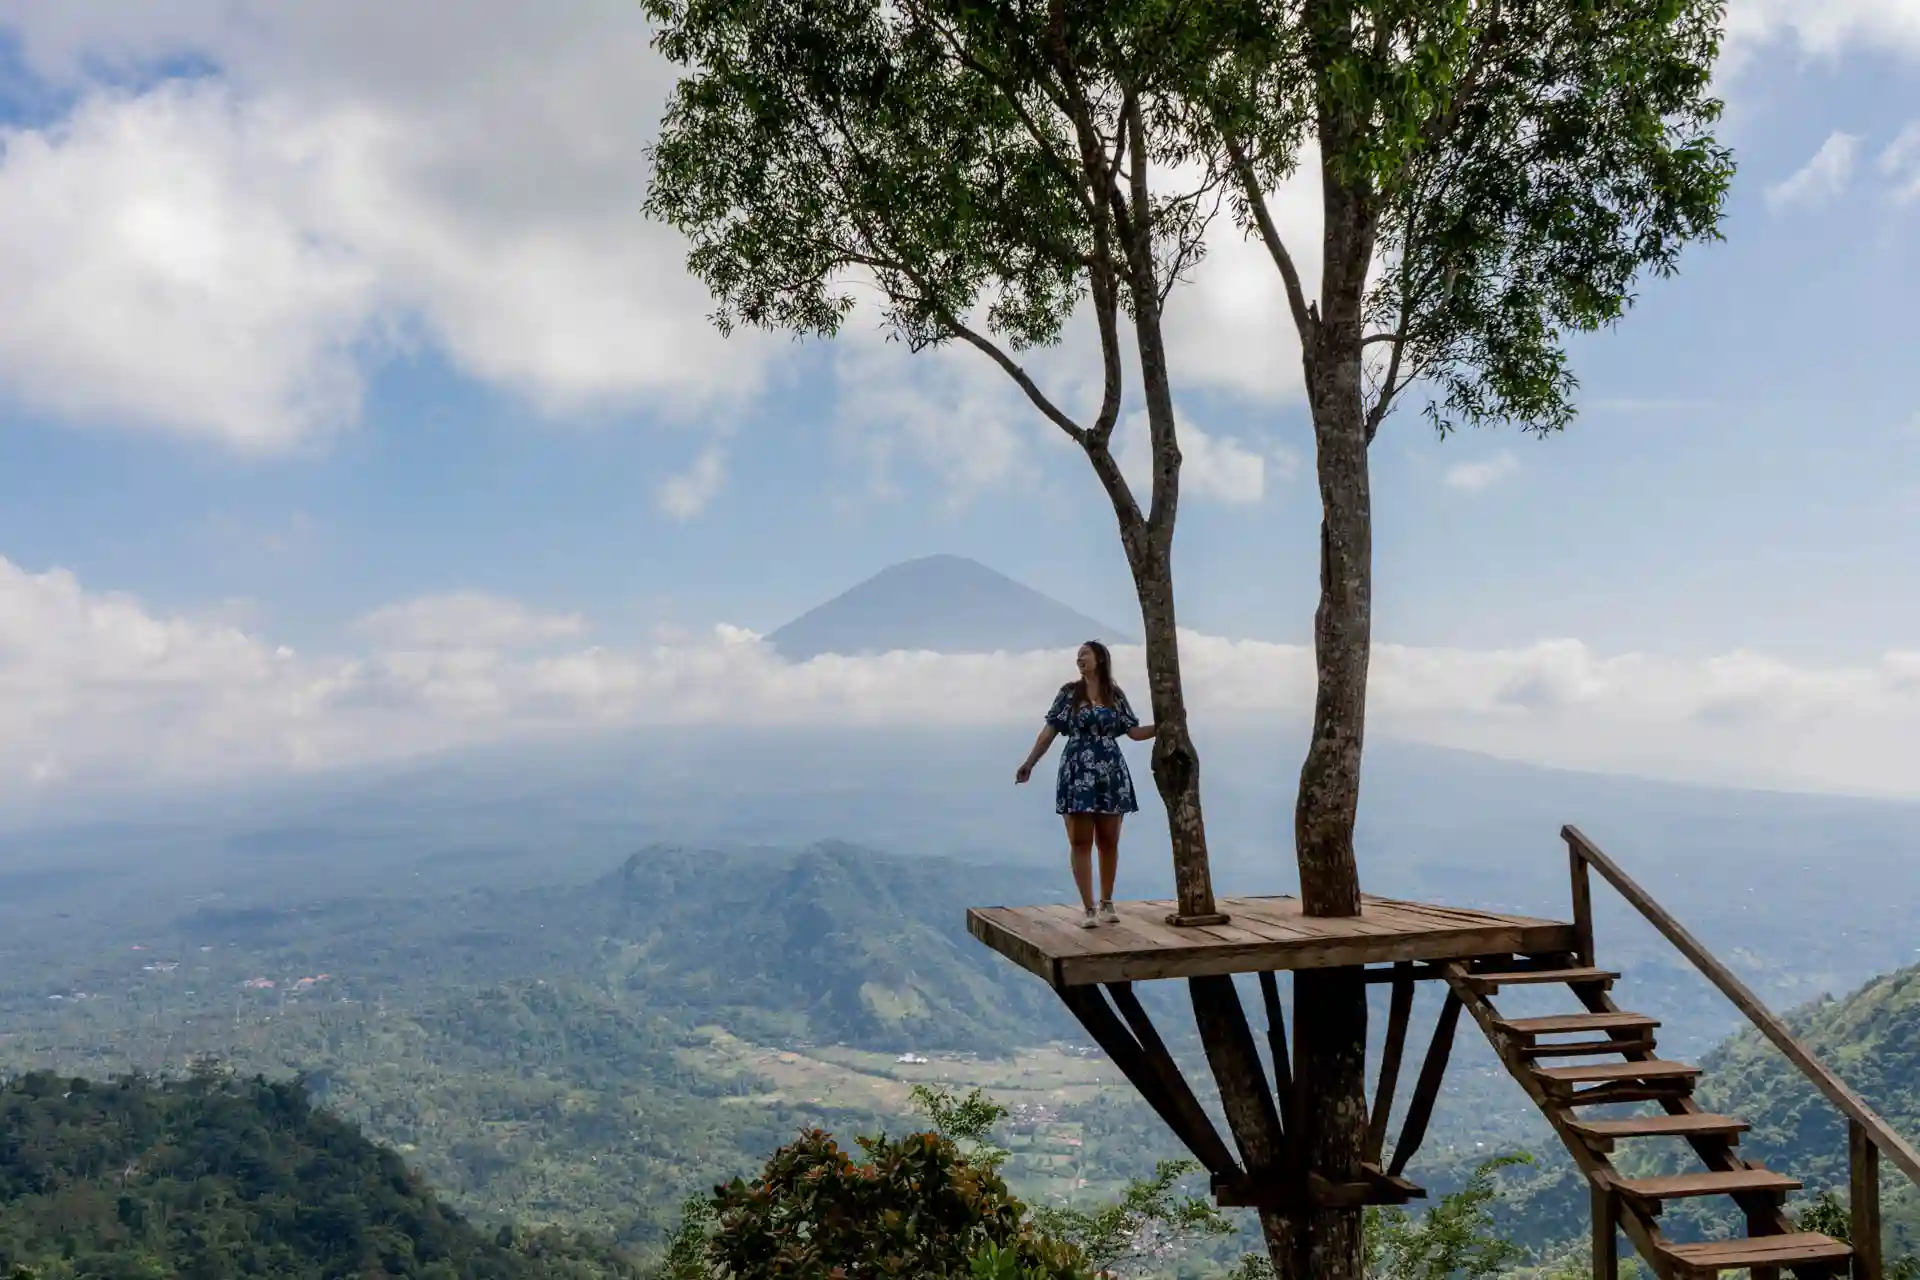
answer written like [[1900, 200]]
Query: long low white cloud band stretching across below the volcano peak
[[97, 688]]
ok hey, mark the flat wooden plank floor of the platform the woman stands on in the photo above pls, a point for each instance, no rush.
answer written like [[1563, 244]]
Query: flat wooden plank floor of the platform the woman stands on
[[1262, 934]]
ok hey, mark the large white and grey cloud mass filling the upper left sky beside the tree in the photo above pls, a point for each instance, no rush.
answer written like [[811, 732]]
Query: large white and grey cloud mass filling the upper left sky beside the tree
[[226, 256]]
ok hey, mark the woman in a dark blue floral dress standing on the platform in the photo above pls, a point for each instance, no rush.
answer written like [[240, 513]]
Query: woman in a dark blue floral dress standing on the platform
[[1095, 792]]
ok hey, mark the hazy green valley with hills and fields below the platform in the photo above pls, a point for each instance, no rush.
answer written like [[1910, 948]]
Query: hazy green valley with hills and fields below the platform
[[581, 1058]]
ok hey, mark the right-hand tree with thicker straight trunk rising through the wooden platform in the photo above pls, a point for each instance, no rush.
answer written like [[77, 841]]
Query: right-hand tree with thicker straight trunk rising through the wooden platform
[[1495, 176]]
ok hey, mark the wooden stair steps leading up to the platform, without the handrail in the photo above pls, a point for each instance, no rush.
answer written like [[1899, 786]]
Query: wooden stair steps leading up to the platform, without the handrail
[[1618, 1064]]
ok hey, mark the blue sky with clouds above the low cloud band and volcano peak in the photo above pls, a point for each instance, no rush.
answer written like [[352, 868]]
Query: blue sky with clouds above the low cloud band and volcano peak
[[304, 329]]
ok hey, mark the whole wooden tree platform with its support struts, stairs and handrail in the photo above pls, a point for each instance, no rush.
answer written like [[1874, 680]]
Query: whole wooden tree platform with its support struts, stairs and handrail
[[1589, 1055]]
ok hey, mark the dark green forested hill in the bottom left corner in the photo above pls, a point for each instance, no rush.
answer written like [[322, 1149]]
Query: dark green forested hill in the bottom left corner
[[216, 1177]]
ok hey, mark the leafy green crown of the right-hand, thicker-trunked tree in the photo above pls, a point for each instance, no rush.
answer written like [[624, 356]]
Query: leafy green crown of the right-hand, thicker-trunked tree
[[1514, 168]]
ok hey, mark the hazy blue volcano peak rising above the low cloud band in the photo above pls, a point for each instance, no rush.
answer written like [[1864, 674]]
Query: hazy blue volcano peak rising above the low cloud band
[[940, 605]]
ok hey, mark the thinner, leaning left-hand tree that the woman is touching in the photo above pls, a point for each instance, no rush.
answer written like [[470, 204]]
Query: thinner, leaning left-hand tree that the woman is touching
[[986, 170]]
